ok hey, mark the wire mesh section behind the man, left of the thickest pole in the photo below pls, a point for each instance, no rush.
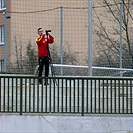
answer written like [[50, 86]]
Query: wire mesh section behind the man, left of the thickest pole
[[28, 16]]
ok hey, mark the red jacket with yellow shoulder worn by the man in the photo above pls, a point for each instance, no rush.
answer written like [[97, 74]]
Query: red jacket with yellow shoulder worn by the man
[[42, 45]]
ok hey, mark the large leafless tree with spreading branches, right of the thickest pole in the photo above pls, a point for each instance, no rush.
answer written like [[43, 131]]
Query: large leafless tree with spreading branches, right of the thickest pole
[[107, 29]]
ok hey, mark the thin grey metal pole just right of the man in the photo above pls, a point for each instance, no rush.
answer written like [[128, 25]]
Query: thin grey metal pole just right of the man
[[61, 38]]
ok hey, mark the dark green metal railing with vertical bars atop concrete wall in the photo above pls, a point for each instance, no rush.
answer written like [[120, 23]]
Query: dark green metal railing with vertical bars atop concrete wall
[[78, 95]]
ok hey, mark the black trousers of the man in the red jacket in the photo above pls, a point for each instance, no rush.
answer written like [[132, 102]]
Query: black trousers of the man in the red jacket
[[43, 61]]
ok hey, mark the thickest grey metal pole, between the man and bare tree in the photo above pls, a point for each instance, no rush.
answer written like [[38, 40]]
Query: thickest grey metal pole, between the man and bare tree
[[90, 37]]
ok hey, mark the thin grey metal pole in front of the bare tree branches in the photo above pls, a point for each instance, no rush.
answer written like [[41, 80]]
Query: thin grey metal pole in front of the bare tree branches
[[121, 21]]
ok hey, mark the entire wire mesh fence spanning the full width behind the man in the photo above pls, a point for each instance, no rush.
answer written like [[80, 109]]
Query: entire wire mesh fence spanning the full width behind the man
[[68, 21]]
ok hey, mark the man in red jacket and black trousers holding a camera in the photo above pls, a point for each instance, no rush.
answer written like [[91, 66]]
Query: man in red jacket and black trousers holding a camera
[[43, 42]]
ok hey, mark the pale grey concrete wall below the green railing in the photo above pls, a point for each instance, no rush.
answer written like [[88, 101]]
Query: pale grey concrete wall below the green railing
[[65, 124]]
